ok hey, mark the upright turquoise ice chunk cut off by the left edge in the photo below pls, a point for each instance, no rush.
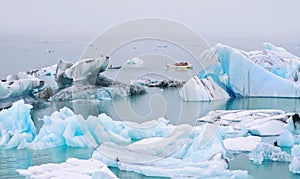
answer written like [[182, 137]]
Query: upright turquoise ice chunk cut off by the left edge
[[17, 128]]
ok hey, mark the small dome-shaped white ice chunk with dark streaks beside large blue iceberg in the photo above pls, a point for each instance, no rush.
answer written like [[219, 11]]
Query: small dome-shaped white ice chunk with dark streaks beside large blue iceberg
[[202, 90]]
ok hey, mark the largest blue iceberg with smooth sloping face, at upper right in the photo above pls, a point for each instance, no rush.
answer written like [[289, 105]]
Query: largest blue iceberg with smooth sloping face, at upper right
[[272, 72]]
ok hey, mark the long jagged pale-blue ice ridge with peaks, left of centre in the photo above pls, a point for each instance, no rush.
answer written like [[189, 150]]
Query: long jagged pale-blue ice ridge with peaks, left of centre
[[64, 128]]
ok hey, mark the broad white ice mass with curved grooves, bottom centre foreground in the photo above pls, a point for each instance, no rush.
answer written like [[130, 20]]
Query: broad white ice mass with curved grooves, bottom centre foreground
[[185, 152]]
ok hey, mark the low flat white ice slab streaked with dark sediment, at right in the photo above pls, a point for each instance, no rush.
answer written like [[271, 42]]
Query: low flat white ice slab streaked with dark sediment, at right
[[237, 123]]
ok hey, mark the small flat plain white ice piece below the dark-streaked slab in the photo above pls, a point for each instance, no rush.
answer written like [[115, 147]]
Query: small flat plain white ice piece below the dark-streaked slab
[[242, 143]]
